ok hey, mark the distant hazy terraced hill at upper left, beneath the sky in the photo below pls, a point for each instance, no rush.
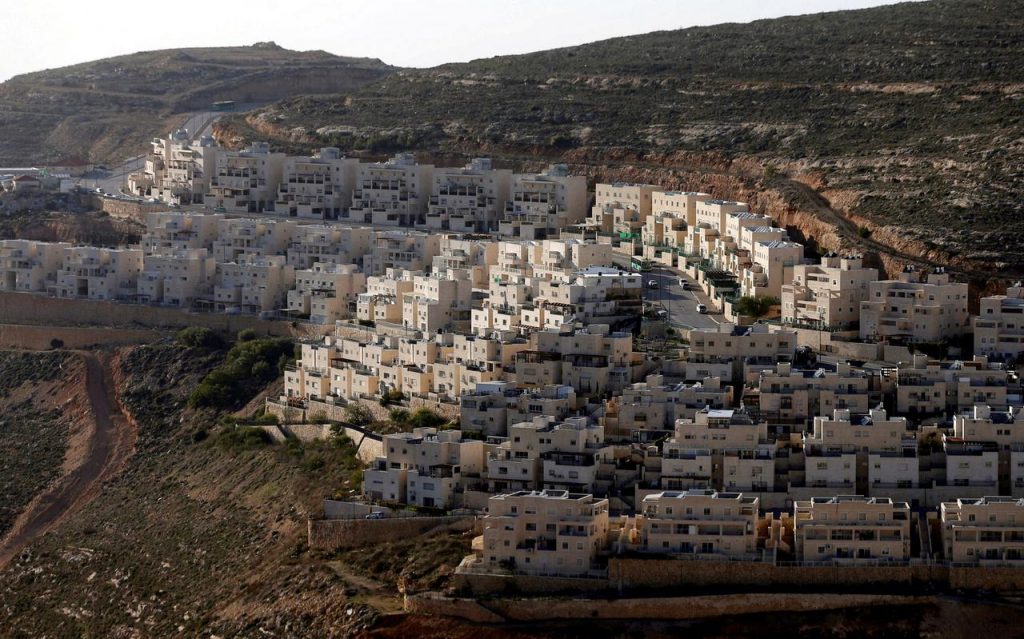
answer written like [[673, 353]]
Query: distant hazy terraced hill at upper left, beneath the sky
[[108, 110]]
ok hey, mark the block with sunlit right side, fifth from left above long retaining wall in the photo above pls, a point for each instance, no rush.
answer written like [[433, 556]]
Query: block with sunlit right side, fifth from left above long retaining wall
[[327, 292]]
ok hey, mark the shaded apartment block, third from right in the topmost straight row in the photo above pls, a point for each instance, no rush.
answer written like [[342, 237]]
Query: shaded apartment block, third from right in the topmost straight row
[[394, 193]]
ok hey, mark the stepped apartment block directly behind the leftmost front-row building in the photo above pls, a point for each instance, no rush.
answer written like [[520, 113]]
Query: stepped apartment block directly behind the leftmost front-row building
[[546, 453]]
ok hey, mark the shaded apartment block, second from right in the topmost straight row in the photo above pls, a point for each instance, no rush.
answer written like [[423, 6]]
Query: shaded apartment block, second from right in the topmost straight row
[[468, 199]]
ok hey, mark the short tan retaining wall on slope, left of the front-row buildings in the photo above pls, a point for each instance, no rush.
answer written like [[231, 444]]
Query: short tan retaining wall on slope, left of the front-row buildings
[[334, 534]]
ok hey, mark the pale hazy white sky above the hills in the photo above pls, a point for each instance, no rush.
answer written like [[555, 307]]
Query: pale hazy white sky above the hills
[[407, 33]]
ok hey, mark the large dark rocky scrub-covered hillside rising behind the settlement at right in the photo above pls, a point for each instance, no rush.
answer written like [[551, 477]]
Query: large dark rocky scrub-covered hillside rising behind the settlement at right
[[905, 120]]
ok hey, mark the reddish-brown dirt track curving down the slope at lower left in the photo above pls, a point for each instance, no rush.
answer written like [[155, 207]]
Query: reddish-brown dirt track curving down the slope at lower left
[[111, 441]]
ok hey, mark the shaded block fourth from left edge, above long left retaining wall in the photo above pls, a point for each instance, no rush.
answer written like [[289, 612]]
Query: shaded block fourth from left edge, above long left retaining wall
[[253, 285]]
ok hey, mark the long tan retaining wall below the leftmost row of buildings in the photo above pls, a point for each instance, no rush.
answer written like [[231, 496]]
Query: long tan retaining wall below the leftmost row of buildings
[[33, 309]]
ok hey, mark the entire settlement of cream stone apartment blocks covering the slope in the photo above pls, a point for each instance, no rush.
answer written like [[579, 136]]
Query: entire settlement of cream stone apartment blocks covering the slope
[[516, 303]]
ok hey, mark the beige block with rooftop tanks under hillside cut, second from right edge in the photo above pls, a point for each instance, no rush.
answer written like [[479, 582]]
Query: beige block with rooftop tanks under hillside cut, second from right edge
[[918, 312]]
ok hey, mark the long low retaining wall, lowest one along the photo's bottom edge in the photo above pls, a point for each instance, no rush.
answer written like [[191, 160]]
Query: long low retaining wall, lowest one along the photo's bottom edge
[[496, 611]]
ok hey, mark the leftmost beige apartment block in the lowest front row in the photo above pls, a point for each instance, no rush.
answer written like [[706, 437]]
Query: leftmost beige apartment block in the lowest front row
[[544, 533]]
